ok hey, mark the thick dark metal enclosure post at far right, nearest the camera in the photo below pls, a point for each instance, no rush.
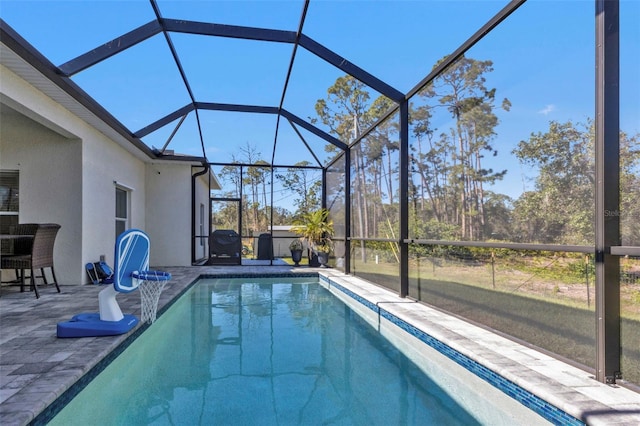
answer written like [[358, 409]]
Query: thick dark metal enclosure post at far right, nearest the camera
[[607, 191]]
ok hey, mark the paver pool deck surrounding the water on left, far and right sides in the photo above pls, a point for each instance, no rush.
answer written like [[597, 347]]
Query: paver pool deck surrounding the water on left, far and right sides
[[36, 367]]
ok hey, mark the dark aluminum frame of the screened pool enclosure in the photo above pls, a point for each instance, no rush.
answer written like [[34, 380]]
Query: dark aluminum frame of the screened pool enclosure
[[607, 245]]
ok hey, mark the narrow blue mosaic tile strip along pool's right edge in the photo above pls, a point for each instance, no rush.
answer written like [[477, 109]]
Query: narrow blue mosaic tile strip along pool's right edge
[[526, 398]]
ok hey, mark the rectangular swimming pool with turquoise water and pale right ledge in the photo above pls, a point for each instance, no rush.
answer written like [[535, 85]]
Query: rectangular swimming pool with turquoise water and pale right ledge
[[281, 351]]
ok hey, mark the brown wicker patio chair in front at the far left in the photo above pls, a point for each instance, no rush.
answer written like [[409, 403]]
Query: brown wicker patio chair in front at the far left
[[38, 255]]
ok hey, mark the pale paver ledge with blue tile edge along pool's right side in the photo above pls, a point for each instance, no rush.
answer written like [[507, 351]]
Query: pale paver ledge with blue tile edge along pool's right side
[[561, 393]]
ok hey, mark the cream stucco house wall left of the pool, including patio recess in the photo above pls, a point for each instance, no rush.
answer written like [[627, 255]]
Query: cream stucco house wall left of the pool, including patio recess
[[68, 174]]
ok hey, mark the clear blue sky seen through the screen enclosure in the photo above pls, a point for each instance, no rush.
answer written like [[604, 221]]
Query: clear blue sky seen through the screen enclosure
[[543, 61]]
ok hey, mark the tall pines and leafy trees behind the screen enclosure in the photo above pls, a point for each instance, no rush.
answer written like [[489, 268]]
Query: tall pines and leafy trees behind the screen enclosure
[[451, 194]]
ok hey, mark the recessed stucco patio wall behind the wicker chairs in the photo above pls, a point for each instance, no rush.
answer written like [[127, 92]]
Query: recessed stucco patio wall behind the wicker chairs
[[50, 190]]
